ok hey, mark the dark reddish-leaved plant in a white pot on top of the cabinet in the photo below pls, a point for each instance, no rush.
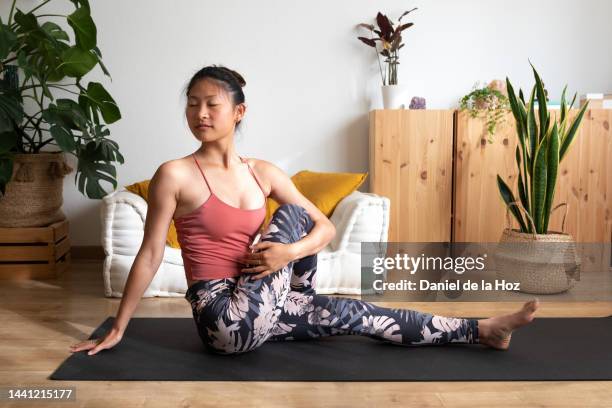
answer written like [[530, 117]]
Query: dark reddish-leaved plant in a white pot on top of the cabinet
[[390, 37]]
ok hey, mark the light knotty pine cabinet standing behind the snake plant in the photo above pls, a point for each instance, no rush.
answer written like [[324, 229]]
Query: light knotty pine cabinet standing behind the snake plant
[[439, 171]]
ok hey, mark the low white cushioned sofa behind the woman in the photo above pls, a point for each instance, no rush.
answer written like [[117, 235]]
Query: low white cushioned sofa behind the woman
[[358, 217]]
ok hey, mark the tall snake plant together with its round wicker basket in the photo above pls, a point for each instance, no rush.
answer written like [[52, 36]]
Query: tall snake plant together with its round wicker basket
[[542, 261]]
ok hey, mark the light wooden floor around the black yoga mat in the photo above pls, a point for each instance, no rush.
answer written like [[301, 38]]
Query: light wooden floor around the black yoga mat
[[42, 318]]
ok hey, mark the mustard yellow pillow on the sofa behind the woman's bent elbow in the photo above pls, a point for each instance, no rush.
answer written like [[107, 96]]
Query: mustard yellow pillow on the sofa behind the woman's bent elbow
[[324, 190]]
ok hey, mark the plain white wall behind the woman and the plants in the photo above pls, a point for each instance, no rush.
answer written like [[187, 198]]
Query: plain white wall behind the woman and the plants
[[310, 82]]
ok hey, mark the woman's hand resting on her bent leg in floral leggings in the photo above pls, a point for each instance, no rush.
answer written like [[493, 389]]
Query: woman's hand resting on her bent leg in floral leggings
[[267, 257]]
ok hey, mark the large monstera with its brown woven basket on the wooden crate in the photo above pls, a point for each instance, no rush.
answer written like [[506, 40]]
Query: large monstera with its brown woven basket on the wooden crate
[[32, 119]]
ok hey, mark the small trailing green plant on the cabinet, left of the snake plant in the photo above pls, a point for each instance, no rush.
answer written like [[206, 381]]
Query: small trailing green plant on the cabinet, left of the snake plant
[[489, 102]]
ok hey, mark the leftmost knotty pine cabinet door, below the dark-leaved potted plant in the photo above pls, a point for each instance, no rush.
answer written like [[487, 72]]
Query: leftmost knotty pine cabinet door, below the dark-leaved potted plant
[[411, 164]]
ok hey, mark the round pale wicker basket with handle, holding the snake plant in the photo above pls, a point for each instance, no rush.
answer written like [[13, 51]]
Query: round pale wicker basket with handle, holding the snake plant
[[541, 263]]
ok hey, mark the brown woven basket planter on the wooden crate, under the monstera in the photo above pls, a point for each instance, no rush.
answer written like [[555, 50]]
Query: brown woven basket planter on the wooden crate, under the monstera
[[34, 195]]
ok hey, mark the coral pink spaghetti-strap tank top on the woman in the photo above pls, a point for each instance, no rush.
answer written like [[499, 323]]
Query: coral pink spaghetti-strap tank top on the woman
[[215, 235]]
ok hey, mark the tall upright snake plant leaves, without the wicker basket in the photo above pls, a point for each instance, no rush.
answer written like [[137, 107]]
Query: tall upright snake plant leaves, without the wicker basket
[[543, 143]]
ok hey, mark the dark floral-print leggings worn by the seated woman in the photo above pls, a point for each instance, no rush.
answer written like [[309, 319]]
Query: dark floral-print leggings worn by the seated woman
[[236, 315]]
